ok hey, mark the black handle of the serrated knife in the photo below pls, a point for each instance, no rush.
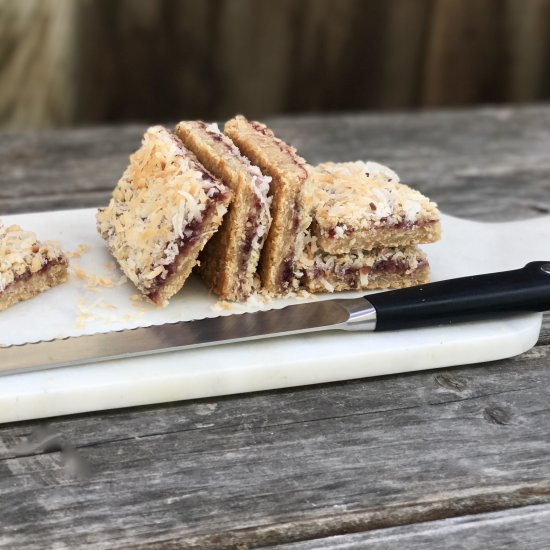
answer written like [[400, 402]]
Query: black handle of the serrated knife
[[465, 299]]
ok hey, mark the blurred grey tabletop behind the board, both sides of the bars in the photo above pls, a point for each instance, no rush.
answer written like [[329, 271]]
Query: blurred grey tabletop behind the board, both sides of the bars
[[488, 164]]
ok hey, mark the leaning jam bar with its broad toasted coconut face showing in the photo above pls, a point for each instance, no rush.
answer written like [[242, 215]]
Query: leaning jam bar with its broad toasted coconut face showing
[[163, 210]]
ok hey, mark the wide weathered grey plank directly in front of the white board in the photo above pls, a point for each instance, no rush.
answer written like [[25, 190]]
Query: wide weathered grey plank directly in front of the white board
[[290, 465]]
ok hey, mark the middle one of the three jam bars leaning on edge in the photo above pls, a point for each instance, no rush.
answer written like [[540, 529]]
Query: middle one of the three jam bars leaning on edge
[[229, 260]]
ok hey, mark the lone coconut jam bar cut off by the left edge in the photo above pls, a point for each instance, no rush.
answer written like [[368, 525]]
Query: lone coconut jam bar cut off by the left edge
[[27, 266]]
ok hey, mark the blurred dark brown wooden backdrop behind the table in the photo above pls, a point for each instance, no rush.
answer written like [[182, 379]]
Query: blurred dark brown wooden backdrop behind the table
[[87, 62]]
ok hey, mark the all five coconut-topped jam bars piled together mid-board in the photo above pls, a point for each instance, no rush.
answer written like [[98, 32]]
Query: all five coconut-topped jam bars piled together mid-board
[[288, 226]]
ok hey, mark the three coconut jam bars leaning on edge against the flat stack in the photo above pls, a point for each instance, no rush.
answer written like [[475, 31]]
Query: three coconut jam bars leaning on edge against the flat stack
[[169, 205]]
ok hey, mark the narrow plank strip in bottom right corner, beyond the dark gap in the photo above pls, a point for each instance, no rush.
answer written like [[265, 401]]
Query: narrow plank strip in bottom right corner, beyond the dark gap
[[526, 528]]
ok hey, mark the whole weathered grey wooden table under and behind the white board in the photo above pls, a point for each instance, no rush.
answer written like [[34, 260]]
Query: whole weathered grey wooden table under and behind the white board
[[457, 457]]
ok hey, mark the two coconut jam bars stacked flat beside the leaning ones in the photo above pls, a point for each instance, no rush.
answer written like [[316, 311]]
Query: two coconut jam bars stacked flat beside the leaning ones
[[365, 230]]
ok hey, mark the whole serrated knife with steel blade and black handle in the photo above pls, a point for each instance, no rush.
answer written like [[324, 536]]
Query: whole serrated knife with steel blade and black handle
[[445, 302]]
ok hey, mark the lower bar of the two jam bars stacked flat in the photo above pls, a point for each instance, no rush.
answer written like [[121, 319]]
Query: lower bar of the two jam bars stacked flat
[[364, 269]]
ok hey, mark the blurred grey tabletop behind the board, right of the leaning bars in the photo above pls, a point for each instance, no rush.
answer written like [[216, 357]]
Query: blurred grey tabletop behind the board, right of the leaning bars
[[469, 161]]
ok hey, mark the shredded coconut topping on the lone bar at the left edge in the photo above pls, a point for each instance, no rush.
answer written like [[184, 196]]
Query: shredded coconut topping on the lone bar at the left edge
[[22, 254]]
